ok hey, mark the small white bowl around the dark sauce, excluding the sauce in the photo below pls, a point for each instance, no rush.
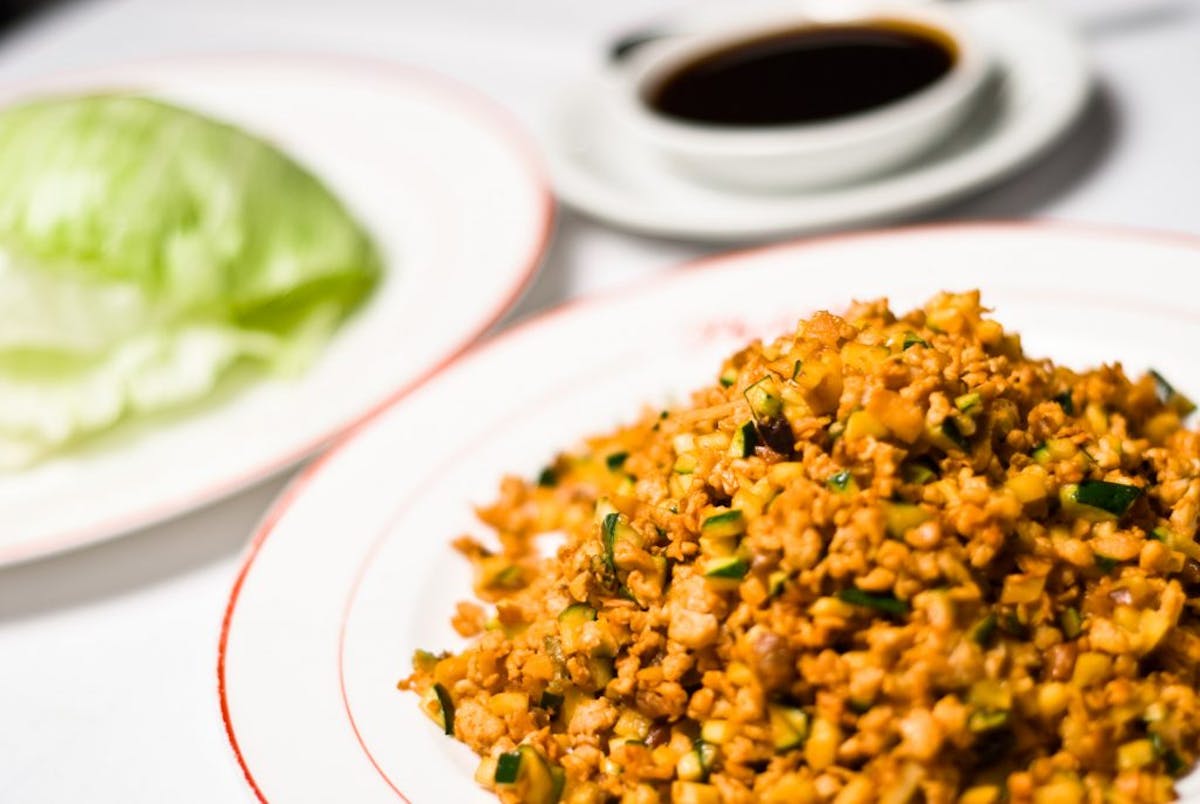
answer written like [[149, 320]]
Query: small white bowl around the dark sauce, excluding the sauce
[[805, 155]]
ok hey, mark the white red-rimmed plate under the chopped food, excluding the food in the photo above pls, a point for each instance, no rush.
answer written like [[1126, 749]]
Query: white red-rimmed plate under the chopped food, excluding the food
[[352, 571]]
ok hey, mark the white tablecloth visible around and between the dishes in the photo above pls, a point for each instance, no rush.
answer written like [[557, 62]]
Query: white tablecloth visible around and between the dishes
[[107, 656]]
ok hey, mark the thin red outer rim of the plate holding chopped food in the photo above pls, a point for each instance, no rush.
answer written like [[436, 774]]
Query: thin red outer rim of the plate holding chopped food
[[299, 485]]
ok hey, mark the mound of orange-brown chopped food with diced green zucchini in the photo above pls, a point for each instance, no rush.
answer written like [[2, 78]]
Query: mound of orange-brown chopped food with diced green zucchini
[[883, 559]]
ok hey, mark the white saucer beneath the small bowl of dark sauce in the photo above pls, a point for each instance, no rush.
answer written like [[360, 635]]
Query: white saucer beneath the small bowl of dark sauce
[[1042, 82]]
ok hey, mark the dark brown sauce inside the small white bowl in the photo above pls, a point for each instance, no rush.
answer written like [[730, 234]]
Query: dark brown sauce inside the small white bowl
[[808, 75]]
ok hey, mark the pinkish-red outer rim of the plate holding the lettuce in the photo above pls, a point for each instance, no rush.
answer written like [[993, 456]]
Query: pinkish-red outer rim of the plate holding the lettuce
[[489, 112]]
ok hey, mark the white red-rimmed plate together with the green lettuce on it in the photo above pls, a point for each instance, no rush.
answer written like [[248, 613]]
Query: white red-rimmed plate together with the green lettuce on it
[[212, 267]]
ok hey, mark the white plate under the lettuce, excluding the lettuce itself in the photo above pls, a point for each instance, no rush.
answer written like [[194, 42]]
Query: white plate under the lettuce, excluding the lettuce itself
[[457, 201]]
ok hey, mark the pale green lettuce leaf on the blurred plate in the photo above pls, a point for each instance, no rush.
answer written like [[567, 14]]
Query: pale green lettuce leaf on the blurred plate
[[146, 253]]
